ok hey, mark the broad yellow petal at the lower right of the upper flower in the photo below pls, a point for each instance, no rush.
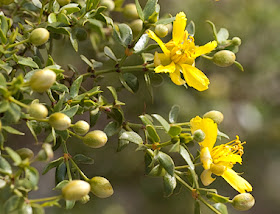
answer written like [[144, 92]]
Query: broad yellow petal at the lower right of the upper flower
[[195, 78]]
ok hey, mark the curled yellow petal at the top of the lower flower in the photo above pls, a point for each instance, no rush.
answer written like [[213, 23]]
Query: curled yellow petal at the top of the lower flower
[[210, 129]]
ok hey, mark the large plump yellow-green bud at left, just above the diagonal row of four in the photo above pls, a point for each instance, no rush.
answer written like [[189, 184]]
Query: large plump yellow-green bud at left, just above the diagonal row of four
[[42, 80]]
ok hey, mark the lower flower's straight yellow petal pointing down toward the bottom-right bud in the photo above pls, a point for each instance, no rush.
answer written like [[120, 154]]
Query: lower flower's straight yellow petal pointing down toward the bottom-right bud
[[236, 181]]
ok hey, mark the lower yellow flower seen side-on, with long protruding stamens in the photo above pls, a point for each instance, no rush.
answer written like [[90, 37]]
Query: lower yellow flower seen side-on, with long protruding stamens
[[219, 160]]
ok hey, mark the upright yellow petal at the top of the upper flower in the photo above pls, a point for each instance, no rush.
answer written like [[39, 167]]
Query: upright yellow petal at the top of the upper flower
[[179, 26]]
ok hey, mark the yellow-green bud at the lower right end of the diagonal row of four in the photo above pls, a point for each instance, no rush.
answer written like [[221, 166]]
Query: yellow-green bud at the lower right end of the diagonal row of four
[[95, 139]]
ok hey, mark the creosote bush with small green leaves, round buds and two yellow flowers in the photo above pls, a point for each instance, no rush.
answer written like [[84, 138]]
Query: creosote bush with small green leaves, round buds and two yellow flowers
[[45, 96]]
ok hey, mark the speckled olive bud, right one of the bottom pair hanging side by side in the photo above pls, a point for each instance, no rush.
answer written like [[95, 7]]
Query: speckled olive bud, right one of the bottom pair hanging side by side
[[101, 187]]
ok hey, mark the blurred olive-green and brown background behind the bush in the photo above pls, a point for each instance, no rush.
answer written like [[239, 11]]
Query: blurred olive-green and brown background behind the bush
[[249, 100]]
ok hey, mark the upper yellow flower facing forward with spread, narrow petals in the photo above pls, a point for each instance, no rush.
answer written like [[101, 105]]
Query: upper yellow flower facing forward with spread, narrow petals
[[179, 56]]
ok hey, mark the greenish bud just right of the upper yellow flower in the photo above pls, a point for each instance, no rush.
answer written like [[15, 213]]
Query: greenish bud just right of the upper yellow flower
[[224, 58]]
